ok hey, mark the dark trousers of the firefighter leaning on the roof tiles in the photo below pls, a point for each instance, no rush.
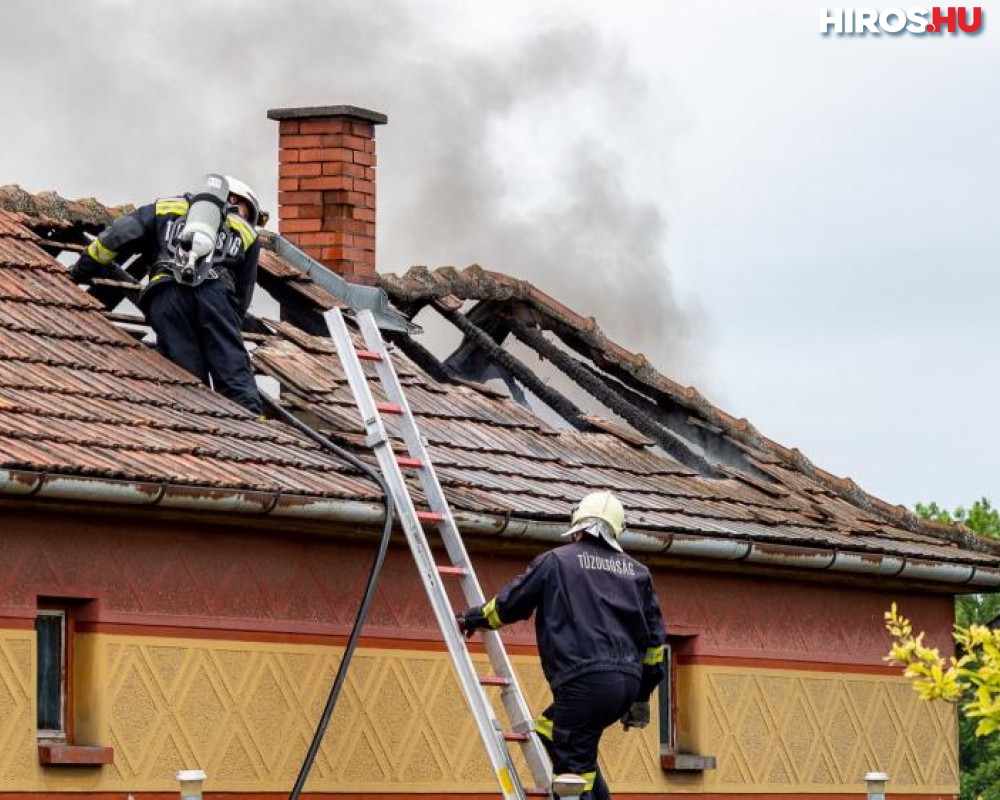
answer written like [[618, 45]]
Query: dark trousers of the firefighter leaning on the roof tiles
[[198, 328]]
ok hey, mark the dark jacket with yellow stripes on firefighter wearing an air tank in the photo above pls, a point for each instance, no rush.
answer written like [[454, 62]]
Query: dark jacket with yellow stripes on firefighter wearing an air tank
[[152, 232]]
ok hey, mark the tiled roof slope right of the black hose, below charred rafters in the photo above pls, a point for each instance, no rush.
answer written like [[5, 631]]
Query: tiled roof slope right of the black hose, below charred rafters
[[494, 457]]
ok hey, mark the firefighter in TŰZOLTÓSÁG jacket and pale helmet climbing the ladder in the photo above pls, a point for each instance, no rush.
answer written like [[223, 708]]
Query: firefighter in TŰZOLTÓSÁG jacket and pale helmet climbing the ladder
[[600, 637]]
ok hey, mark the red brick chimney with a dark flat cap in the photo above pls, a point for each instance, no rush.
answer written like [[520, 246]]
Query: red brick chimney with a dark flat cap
[[326, 185]]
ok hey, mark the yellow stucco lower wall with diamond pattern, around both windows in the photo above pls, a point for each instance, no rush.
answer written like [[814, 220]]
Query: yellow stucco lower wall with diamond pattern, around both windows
[[245, 712]]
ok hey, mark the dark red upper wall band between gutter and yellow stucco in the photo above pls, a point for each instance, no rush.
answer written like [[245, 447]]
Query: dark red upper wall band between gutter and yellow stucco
[[224, 578]]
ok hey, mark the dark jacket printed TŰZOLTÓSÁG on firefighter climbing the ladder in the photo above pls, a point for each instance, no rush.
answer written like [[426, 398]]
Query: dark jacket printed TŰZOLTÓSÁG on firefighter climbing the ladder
[[595, 610]]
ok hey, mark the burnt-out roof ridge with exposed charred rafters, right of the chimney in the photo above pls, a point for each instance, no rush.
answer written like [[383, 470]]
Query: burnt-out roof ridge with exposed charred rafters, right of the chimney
[[677, 417]]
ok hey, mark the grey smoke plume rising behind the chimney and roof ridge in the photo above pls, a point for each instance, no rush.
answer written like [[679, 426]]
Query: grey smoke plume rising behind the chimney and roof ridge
[[514, 155]]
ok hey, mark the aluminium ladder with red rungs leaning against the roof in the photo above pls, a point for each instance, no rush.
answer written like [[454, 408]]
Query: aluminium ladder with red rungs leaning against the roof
[[432, 573]]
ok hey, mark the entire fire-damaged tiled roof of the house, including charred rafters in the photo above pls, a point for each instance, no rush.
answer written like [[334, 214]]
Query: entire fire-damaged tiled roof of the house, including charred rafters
[[681, 466]]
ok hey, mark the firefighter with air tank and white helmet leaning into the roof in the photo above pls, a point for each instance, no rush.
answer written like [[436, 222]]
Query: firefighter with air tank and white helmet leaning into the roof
[[201, 253]]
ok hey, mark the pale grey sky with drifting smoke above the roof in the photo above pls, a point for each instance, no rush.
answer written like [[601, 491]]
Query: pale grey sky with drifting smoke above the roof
[[802, 226]]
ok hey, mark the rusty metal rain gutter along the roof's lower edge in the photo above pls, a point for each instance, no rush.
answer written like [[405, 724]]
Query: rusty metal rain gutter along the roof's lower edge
[[53, 486]]
